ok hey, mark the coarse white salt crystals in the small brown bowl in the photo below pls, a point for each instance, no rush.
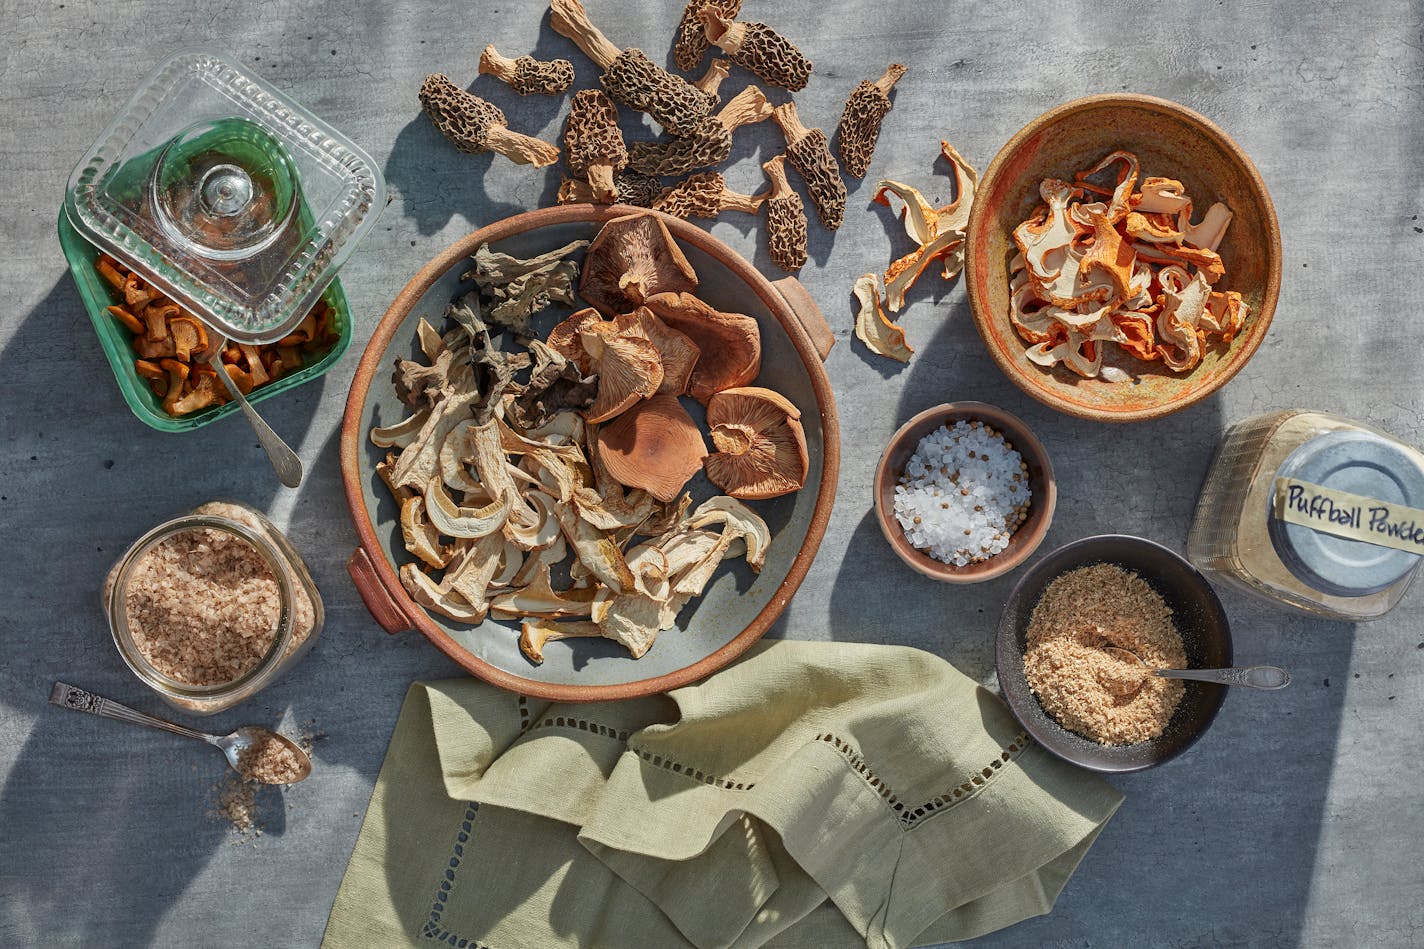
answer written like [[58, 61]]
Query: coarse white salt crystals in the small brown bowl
[[963, 494]]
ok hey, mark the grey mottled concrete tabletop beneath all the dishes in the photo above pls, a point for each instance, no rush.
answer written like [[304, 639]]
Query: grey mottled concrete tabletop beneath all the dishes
[[1294, 823]]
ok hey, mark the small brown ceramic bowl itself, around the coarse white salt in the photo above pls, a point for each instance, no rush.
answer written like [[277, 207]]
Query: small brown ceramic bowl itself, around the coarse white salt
[[1040, 482]]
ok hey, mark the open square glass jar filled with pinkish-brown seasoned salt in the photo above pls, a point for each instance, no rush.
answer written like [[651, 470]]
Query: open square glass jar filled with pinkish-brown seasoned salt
[[211, 608]]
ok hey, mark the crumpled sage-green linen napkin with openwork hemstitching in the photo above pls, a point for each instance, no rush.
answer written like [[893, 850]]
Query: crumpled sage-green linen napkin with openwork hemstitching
[[814, 794]]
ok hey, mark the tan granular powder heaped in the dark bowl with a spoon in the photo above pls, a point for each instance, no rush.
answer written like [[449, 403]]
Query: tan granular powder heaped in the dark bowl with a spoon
[[1104, 698]]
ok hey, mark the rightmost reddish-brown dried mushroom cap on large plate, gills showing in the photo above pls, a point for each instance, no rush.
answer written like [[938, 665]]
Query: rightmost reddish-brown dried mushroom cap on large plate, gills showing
[[761, 447]]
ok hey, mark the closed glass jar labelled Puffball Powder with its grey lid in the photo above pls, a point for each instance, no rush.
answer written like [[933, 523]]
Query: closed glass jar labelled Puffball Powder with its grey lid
[[1315, 514]]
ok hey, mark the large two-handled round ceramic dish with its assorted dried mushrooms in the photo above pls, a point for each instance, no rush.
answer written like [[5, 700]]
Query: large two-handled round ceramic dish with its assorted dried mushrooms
[[590, 454]]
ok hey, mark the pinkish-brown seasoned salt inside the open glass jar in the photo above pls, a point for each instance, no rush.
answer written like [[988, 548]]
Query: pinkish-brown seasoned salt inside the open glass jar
[[203, 606]]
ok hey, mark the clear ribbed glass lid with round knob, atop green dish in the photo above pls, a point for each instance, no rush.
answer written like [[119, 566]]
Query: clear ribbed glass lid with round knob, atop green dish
[[227, 196]]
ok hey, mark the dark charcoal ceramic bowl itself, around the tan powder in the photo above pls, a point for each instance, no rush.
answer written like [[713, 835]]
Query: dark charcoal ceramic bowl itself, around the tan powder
[[1195, 611]]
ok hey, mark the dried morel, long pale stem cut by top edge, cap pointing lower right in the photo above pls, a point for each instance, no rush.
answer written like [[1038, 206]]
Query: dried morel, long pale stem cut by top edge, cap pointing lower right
[[630, 76]]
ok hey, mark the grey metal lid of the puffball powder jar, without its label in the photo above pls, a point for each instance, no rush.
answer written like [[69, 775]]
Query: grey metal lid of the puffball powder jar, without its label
[[1361, 464]]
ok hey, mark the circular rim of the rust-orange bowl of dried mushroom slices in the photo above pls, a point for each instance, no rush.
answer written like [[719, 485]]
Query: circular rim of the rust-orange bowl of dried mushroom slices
[[978, 224]]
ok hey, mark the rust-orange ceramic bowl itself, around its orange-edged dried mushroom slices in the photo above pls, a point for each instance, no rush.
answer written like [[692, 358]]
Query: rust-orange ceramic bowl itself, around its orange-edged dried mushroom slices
[[1170, 142]]
